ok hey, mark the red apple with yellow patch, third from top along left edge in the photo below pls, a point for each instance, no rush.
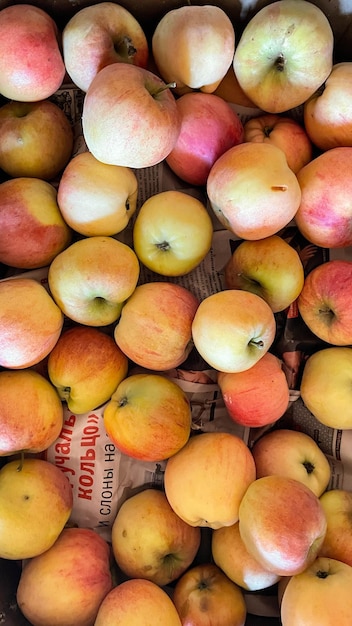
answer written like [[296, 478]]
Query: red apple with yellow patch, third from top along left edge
[[32, 229]]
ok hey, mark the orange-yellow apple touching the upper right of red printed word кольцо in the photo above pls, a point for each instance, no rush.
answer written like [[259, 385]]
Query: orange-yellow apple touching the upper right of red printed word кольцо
[[142, 407]]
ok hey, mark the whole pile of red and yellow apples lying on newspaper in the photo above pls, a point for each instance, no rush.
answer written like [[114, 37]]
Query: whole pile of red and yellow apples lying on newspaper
[[80, 328]]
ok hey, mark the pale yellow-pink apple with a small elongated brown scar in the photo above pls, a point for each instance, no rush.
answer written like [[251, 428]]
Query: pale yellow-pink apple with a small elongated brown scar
[[253, 191]]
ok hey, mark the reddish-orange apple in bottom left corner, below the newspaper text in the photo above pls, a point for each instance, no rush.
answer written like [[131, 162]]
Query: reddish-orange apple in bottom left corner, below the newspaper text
[[65, 585]]
